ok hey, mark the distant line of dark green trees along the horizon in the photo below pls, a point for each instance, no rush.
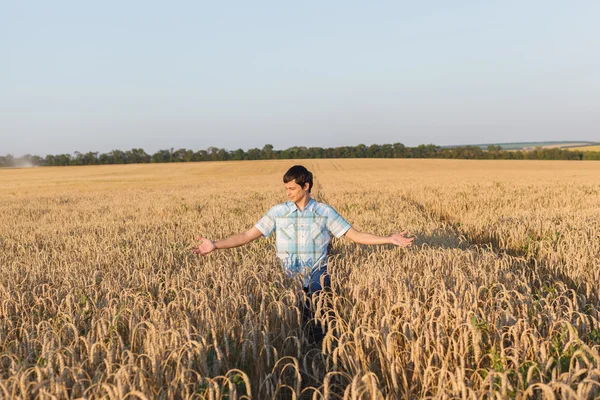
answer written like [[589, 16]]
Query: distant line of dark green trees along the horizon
[[396, 150]]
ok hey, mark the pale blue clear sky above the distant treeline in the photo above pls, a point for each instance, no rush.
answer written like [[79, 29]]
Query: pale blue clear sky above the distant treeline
[[96, 76]]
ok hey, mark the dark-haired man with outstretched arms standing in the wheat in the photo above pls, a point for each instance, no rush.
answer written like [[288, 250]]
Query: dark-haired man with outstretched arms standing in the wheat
[[303, 229]]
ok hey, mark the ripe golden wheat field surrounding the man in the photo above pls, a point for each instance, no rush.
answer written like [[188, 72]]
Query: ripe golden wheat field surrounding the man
[[102, 297]]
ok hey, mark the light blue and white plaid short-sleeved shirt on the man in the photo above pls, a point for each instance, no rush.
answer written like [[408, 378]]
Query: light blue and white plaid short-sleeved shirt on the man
[[302, 236]]
